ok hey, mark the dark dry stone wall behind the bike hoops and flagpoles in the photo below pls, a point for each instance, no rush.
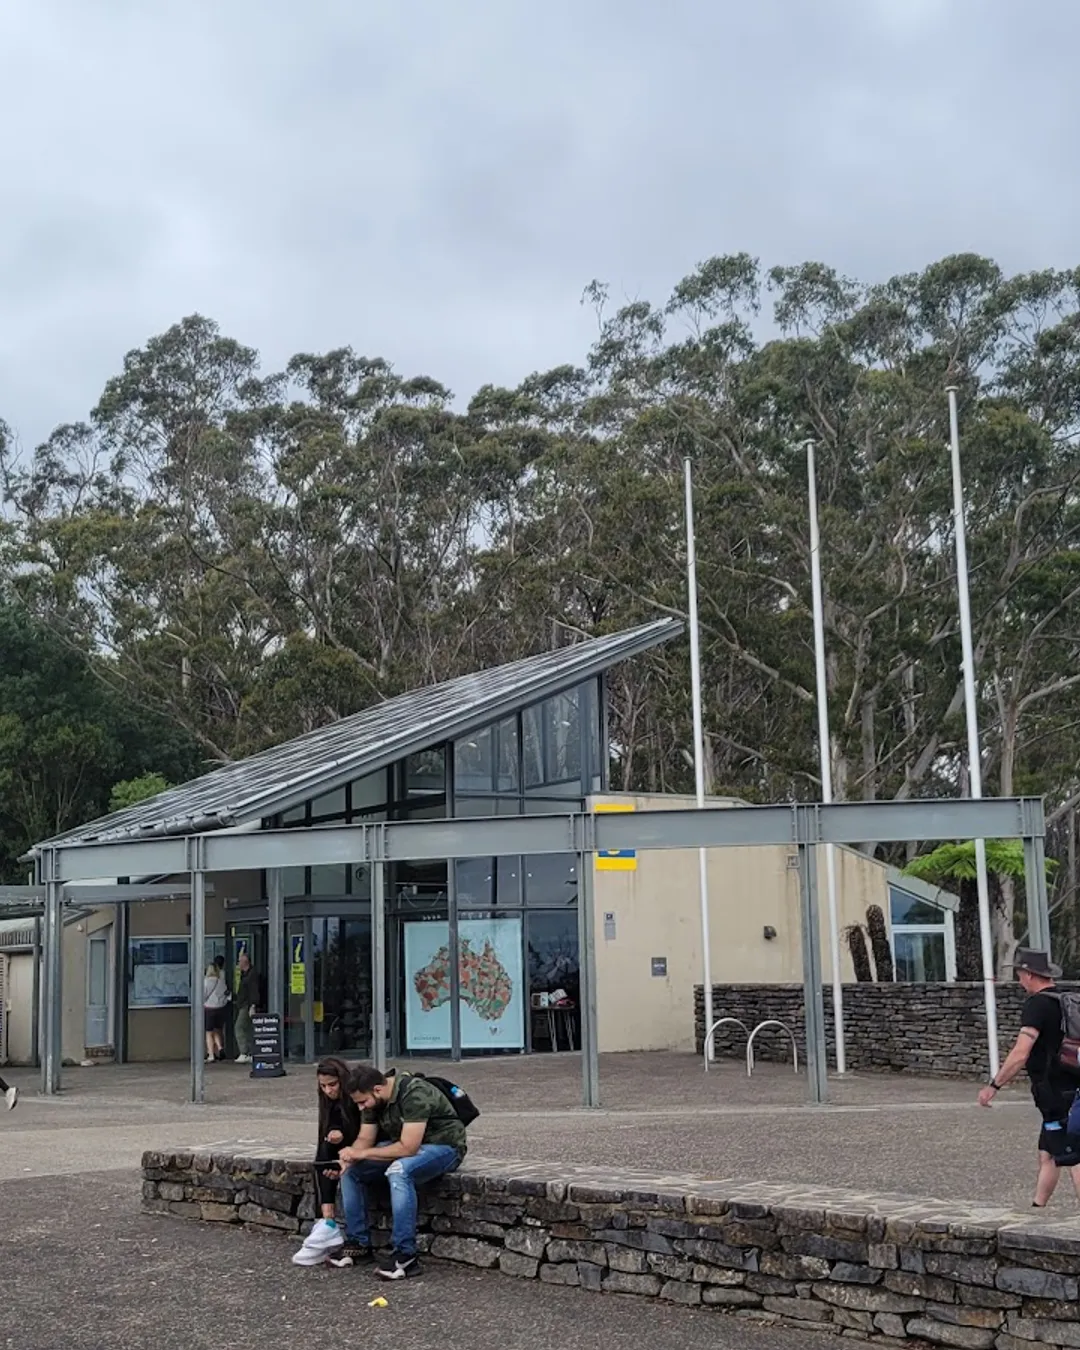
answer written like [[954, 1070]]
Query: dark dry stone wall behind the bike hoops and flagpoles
[[939, 1031]]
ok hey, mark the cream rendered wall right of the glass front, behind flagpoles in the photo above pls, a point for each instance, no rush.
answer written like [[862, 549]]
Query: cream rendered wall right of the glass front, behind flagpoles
[[657, 913]]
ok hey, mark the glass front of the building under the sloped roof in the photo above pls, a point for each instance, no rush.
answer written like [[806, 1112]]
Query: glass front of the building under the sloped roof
[[515, 919]]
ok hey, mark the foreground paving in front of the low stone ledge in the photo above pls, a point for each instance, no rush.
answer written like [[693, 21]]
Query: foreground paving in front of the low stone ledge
[[82, 1268]]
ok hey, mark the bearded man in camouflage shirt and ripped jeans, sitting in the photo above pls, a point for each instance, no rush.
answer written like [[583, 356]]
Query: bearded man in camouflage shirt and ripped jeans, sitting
[[410, 1135]]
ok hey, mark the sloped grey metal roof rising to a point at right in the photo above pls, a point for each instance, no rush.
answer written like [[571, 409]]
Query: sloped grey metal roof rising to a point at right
[[331, 757]]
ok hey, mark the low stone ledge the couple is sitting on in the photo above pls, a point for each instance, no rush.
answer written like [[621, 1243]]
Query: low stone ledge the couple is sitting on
[[894, 1268]]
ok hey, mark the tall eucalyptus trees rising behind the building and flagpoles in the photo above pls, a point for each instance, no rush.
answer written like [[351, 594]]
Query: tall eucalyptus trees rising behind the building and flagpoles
[[250, 554]]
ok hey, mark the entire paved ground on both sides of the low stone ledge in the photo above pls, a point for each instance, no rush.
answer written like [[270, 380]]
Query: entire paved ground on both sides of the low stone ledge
[[82, 1267]]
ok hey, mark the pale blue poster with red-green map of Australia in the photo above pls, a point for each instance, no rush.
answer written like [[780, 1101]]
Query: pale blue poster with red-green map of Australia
[[493, 1000]]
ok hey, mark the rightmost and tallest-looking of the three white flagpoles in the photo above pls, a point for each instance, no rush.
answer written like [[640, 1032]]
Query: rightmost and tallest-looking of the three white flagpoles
[[975, 773]]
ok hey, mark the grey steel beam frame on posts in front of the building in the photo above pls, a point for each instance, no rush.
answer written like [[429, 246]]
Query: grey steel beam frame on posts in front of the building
[[804, 827]]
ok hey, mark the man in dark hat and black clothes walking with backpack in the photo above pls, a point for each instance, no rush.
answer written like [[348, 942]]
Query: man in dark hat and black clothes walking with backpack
[[1036, 1051]]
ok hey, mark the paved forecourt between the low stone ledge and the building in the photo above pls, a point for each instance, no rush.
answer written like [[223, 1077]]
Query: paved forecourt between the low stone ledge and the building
[[897, 1133]]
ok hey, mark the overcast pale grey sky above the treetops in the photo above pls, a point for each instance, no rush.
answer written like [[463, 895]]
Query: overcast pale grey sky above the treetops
[[435, 182]]
